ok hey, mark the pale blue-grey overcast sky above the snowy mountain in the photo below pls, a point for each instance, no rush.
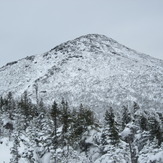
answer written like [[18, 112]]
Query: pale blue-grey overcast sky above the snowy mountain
[[29, 27]]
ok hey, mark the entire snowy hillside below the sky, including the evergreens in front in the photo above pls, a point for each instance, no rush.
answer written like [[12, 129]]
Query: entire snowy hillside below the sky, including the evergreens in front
[[88, 100]]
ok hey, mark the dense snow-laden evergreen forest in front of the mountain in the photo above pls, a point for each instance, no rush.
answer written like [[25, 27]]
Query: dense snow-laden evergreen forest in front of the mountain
[[57, 133]]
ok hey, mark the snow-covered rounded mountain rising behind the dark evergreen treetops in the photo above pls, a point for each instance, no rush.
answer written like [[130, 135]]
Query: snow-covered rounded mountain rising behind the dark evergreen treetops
[[93, 69]]
